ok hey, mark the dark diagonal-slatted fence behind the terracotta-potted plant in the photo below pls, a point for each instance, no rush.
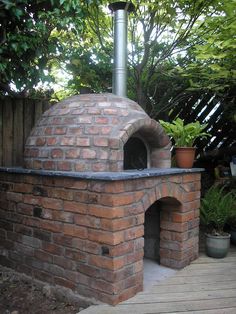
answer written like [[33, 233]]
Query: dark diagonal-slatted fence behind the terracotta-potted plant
[[215, 111]]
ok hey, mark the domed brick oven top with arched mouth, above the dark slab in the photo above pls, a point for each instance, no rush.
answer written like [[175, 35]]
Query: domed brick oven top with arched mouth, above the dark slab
[[97, 133]]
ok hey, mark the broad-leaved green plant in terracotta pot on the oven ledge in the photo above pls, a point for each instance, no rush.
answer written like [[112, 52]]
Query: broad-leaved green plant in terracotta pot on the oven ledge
[[184, 137]]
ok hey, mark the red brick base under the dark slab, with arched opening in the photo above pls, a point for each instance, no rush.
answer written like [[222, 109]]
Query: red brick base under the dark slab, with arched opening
[[87, 235]]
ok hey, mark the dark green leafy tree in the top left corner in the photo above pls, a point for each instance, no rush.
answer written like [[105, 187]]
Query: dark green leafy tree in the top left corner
[[29, 38]]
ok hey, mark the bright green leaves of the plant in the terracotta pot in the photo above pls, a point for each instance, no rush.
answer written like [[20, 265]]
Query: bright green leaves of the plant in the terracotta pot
[[184, 135]]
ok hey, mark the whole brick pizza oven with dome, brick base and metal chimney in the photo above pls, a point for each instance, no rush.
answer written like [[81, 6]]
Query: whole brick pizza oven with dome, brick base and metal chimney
[[97, 194]]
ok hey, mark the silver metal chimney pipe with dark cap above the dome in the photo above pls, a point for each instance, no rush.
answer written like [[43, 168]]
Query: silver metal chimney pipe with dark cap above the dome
[[119, 77]]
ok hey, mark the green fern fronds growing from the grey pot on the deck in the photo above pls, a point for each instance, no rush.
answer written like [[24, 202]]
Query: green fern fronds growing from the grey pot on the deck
[[216, 208]]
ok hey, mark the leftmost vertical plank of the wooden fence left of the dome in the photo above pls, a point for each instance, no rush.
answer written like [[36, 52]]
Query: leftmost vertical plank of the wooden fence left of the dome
[[7, 132]]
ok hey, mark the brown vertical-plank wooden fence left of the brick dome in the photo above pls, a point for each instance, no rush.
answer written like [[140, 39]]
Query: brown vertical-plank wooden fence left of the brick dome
[[17, 118]]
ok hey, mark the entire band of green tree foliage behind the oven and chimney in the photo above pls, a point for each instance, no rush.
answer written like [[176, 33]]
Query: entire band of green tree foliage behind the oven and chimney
[[174, 47]]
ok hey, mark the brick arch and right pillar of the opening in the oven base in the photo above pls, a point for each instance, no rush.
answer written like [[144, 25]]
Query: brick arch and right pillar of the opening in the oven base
[[178, 245]]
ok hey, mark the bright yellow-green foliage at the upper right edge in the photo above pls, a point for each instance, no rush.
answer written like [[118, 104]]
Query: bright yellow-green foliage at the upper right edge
[[213, 66]]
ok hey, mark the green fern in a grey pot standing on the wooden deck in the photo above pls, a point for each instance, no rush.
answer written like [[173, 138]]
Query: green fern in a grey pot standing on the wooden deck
[[216, 208]]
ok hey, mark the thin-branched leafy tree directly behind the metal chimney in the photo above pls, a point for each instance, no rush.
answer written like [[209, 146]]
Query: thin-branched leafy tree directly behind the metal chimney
[[160, 36]]
